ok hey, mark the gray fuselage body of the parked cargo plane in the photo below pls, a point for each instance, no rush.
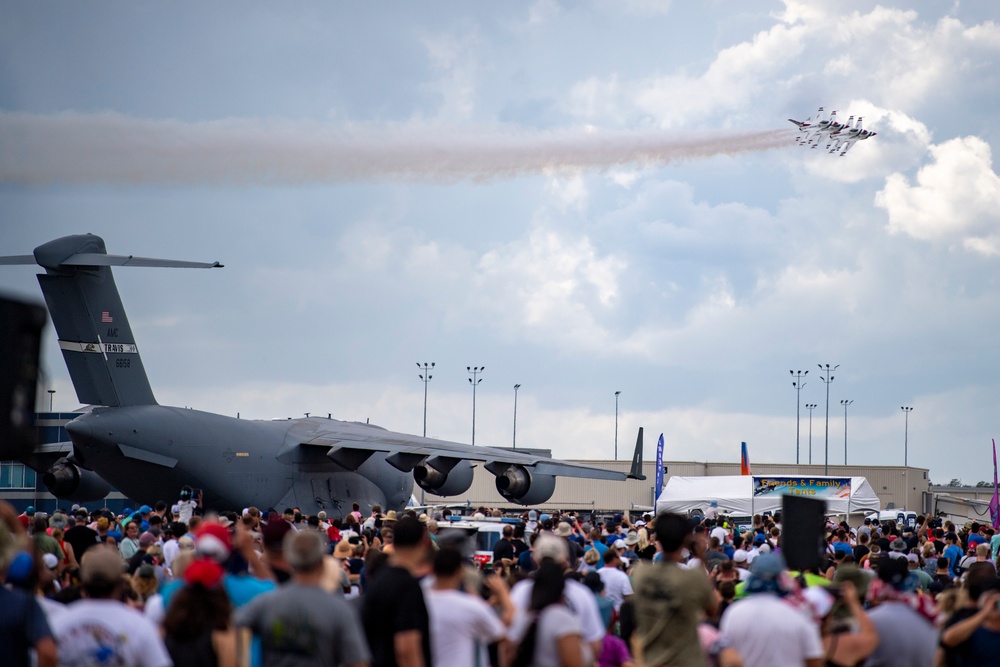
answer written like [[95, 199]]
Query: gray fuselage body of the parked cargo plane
[[149, 451]]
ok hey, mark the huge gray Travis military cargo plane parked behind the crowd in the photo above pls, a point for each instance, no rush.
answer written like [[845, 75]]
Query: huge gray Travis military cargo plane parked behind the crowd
[[148, 451]]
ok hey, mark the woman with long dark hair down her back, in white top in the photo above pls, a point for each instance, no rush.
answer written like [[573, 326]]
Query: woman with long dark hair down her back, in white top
[[549, 634]]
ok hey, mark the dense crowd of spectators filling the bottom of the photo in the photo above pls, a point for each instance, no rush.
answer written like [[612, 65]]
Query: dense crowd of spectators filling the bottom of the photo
[[177, 585]]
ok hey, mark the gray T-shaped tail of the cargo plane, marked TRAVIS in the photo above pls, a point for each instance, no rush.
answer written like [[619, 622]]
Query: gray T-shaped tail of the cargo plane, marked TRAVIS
[[86, 309]]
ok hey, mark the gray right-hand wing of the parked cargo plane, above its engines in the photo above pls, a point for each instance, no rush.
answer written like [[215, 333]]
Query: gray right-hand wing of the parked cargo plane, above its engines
[[351, 443]]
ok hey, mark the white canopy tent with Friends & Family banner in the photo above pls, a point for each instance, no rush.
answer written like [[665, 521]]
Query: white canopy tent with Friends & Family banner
[[753, 494]]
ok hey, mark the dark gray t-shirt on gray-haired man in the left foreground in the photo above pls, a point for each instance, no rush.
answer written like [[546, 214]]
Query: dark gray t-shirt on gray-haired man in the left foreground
[[301, 626]]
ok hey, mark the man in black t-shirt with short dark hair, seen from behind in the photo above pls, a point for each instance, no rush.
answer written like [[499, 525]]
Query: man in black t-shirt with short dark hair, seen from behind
[[393, 610]]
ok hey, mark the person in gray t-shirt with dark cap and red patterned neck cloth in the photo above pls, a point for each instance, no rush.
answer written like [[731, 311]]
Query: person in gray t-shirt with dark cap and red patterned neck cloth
[[903, 618]]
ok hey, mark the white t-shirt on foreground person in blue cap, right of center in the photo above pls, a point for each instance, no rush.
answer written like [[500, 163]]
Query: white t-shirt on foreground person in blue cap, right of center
[[766, 631]]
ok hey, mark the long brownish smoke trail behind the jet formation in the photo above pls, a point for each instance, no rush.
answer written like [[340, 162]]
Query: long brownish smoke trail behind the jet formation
[[111, 148]]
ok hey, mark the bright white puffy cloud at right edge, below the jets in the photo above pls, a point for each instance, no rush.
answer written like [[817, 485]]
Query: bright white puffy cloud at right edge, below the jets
[[955, 199]]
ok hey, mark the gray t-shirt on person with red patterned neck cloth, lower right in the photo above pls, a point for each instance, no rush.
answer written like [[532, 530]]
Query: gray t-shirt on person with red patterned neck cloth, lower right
[[905, 637]]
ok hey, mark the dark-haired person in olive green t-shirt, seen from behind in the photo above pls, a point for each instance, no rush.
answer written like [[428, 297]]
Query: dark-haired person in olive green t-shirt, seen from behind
[[669, 600]]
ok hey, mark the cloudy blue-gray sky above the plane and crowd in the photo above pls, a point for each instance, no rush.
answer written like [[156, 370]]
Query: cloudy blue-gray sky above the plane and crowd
[[581, 197]]
